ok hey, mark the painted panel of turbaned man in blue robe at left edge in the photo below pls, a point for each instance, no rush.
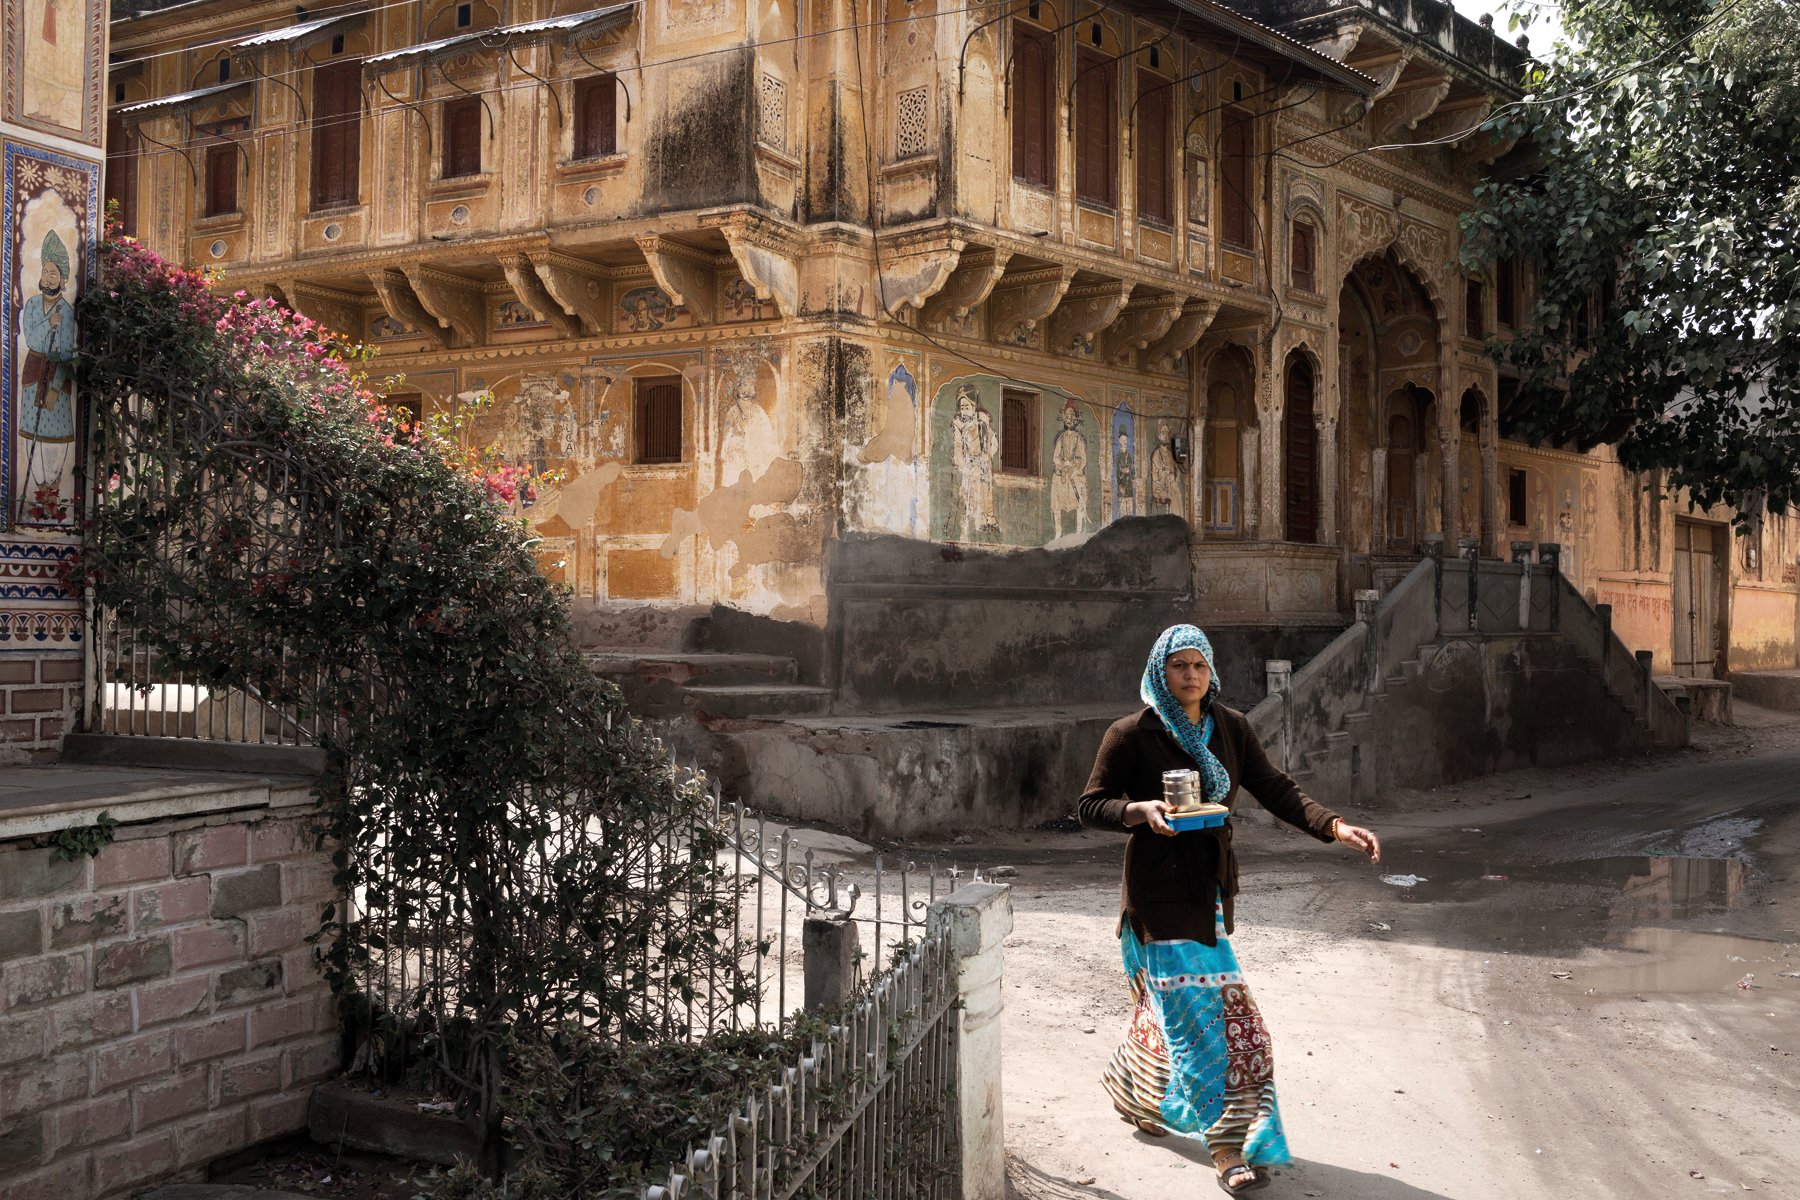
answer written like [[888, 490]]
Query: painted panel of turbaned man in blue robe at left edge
[[48, 251]]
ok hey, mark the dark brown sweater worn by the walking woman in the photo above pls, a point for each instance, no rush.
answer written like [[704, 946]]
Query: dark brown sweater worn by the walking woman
[[1169, 886]]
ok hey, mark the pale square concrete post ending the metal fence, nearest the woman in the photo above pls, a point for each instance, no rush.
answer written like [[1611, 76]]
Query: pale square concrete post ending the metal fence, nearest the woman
[[978, 917]]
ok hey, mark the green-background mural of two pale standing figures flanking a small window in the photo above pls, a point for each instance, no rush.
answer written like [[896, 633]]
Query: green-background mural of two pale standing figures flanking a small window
[[975, 503]]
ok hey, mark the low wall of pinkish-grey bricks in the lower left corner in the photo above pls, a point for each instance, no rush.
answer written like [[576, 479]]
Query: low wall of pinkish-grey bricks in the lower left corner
[[159, 1007]]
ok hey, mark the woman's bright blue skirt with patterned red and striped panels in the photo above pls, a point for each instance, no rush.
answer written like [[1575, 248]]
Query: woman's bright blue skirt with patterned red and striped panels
[[1196, 1059]]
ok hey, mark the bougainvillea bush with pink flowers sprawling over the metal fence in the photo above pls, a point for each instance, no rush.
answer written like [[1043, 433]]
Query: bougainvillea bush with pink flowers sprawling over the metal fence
[[523, 859]]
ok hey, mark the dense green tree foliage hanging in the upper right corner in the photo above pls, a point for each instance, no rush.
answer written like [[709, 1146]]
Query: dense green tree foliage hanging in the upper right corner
[[1660, 210]]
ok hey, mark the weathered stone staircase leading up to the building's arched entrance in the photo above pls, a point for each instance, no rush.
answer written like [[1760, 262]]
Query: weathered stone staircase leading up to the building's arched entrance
[[1419, 694]]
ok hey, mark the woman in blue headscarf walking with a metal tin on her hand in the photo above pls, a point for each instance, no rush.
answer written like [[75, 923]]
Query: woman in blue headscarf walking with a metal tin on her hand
[[1196, 1059]]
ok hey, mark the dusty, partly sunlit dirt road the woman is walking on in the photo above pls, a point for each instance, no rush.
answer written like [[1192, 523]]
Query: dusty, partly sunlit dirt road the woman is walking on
[[1552, 1010]]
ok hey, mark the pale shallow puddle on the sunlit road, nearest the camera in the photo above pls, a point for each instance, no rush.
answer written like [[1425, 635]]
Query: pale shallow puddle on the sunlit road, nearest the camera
[[1682, 962]]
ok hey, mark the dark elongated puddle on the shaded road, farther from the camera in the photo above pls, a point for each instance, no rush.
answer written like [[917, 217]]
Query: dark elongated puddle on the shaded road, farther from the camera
[[1644, 886]]
